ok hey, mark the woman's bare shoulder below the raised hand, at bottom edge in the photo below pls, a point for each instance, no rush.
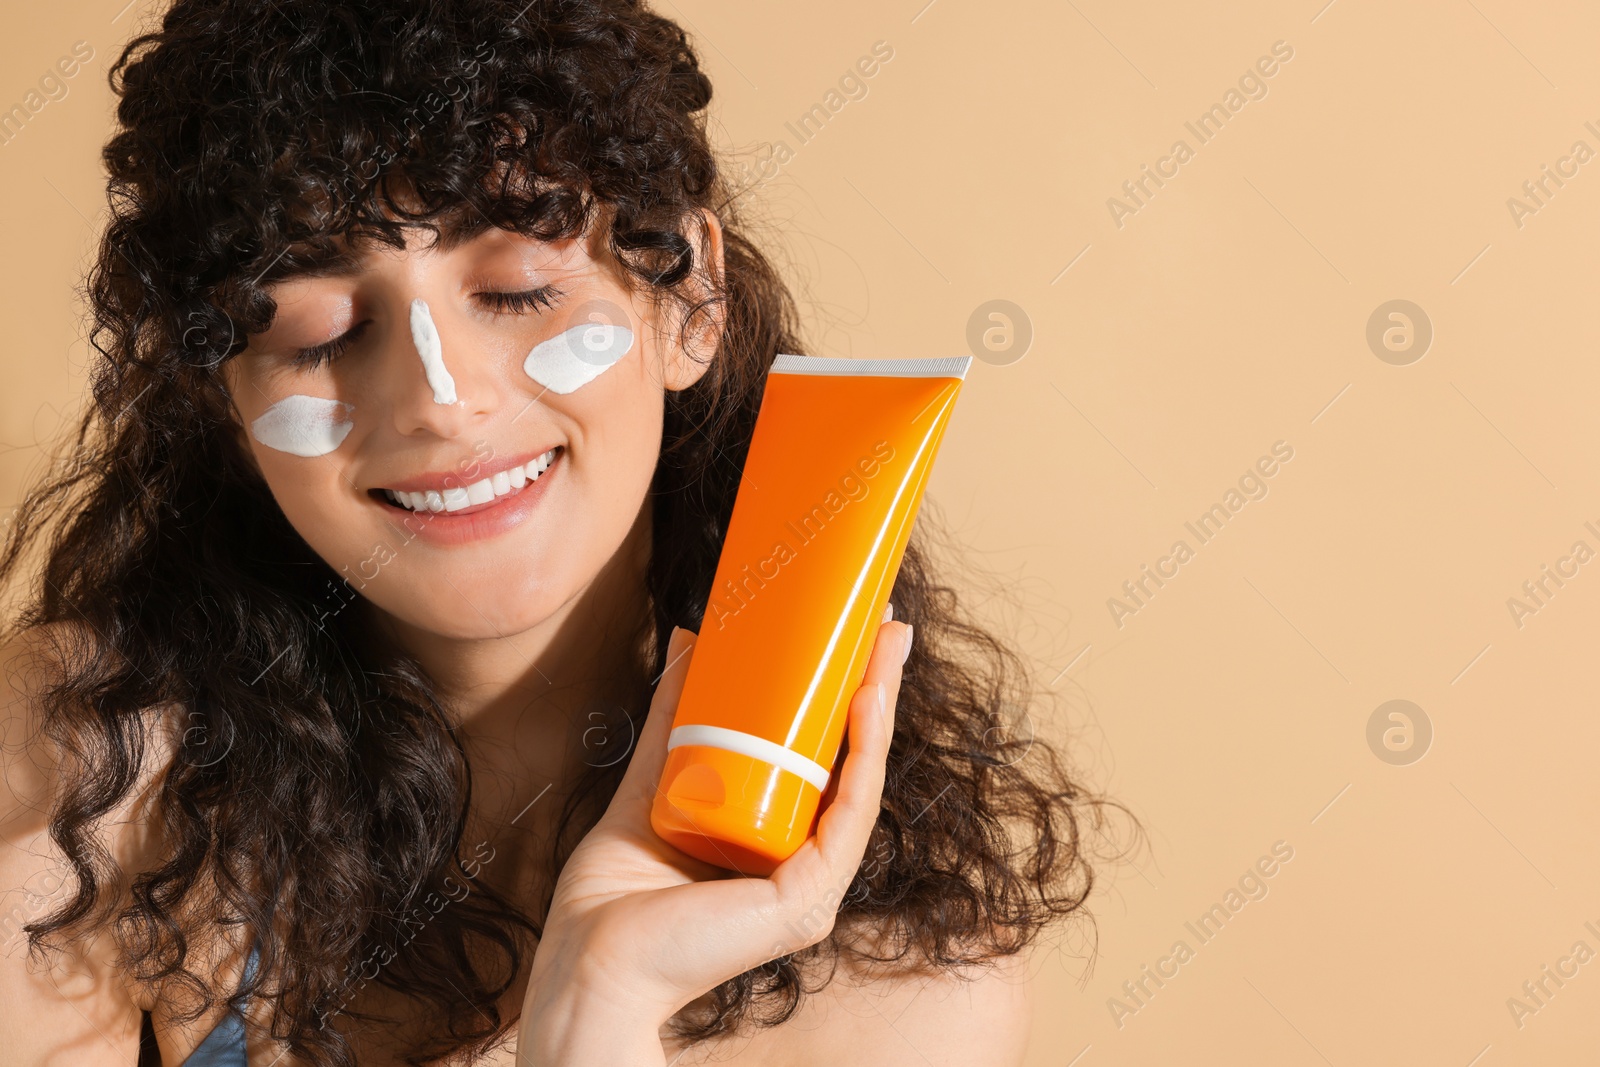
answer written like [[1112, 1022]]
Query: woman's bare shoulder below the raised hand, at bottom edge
[[978, 1018]]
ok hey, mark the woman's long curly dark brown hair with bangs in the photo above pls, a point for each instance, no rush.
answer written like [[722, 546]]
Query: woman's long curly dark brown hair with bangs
[[321, 793]]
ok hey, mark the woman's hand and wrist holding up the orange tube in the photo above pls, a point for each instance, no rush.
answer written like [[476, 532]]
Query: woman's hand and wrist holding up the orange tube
[[638, 930]]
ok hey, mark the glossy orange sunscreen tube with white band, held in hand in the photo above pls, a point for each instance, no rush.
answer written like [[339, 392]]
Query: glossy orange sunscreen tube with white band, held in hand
[[838, 466]]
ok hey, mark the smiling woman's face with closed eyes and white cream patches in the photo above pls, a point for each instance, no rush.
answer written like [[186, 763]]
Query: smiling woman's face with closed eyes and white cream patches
[[510, 390]]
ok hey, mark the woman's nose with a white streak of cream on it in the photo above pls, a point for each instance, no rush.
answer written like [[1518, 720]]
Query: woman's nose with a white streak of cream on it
[[441, 385]]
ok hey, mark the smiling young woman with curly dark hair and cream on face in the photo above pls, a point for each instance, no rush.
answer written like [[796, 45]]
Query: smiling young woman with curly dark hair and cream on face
[[366, 596]]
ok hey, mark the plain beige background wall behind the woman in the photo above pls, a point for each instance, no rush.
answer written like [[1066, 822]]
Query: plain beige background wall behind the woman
[[1228, 314]]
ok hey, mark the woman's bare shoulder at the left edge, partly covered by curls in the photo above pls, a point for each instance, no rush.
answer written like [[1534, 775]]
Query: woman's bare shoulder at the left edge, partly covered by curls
[[66, 1002]]
